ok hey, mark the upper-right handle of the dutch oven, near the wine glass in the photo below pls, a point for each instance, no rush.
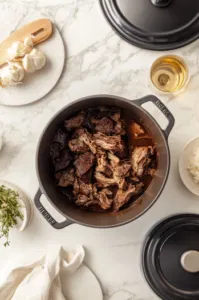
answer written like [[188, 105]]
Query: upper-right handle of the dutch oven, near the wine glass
[[162, 108]]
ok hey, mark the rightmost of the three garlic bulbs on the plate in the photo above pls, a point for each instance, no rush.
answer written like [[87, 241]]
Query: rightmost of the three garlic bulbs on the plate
[[34, 61]]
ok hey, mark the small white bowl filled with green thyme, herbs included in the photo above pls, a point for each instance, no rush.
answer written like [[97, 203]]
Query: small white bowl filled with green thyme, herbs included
[[15, 210]]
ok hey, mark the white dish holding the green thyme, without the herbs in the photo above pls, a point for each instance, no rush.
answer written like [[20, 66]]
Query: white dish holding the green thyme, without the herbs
[[24, 200]]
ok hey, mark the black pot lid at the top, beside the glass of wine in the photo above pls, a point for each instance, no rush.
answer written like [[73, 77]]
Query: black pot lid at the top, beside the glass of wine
[[154, 24]]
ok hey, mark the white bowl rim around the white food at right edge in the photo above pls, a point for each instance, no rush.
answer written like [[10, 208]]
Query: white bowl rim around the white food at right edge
[[185, 175]]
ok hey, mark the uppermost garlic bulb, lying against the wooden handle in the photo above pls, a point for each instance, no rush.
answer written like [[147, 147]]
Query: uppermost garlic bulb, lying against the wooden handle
[[19, 49]]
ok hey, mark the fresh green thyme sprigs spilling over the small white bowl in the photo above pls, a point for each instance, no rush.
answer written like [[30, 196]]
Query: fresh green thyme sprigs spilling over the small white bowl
[[9, 212]]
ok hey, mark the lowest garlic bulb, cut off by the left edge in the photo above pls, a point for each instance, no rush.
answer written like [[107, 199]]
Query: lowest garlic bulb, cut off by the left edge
[[12, 74]]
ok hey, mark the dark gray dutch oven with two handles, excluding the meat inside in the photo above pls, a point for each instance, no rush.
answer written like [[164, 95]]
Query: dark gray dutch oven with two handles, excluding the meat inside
[[74, 214]]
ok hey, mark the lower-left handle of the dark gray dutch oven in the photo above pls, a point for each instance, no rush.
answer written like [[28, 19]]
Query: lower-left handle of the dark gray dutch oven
[[46, 214]]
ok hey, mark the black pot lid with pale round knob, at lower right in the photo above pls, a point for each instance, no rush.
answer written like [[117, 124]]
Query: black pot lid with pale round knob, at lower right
[[170, 258]]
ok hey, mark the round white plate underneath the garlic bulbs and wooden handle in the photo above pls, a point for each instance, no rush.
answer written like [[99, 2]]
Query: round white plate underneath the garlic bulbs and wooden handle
[[37, 85]]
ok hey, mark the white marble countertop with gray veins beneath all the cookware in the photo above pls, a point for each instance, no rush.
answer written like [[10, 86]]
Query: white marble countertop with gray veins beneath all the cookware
[[98, 61]]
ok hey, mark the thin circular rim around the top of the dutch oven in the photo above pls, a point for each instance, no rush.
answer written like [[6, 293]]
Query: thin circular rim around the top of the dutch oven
[[82, 99]]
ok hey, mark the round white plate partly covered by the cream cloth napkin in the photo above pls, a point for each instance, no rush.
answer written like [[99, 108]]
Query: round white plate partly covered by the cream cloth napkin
[[81, 285]]
